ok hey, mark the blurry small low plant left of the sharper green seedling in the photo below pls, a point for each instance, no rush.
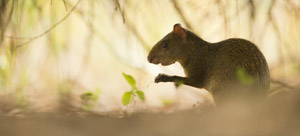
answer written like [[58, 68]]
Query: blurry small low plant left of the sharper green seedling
[[89, 98]]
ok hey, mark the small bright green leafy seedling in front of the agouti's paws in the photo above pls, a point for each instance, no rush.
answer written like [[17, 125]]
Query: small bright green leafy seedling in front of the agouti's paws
[[128, 96]]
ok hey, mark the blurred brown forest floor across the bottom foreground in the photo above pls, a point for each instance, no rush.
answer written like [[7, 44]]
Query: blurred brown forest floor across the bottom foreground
[[278, 115]]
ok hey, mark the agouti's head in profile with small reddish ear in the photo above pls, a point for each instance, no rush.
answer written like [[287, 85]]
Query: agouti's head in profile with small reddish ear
[[167, 51]]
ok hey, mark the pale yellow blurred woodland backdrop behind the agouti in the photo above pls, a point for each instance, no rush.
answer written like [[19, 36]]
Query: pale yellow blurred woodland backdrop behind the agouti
[[55, 51]]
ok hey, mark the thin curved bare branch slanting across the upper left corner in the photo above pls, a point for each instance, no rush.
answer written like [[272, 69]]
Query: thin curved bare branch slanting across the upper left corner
[[48, 30]]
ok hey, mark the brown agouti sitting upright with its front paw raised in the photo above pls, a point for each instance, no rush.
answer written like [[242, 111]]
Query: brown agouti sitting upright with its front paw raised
[[230, 69]]
